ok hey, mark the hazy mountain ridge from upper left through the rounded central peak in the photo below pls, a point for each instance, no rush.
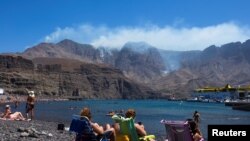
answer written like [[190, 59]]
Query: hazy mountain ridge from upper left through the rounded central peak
[[141, 66]]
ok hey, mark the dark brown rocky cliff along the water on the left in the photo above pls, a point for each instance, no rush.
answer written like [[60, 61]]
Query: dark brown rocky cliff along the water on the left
[[64, 77]]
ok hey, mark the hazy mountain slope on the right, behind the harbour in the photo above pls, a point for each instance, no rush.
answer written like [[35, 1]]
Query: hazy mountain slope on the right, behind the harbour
[[214, 66]]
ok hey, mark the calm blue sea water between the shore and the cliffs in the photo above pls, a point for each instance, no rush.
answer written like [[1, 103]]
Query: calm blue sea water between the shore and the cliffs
[[150, 112]]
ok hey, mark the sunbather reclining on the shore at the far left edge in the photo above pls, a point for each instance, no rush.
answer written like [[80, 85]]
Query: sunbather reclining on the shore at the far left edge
[[12, 116]]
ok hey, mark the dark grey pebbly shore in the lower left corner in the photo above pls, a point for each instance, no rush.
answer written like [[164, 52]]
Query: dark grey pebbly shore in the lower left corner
[[33, 131]]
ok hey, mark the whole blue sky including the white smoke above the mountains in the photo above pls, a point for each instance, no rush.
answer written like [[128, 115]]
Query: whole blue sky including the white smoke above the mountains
[[166, 24]]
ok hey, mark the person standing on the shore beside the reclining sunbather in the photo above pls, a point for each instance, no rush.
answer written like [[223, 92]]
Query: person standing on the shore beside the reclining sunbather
[[30, 104]]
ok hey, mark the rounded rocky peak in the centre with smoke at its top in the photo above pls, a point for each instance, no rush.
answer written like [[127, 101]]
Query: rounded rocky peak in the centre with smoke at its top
[[140, 62]]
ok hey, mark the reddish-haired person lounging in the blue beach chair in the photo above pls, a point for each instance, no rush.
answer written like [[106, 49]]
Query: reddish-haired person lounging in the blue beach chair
[[98, 129]]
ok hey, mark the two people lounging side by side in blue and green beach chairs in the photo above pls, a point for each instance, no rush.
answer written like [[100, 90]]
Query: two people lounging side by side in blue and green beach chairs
[[112, 130]]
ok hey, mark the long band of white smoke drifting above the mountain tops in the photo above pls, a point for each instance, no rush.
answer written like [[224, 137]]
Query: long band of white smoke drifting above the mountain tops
[[167, 37]]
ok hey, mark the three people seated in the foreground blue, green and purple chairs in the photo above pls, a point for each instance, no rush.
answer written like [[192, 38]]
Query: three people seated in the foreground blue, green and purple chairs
[[114, 131]]
